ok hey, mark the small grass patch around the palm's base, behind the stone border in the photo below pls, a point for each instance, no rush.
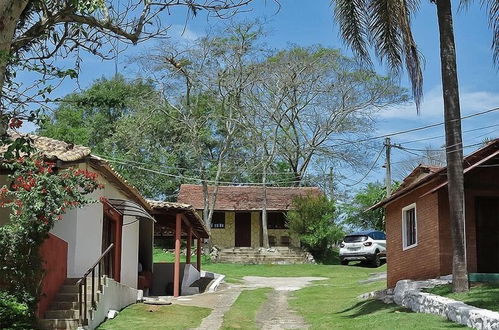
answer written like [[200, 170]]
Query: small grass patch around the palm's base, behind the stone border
[[480, 295]]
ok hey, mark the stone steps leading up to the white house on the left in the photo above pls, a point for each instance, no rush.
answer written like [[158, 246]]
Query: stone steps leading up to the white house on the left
[[63, 312]]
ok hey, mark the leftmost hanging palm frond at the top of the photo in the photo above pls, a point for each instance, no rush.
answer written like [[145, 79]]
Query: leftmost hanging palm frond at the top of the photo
[[353, 20]]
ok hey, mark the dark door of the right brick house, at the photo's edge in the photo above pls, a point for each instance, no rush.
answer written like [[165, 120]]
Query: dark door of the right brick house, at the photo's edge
[[487, 234]]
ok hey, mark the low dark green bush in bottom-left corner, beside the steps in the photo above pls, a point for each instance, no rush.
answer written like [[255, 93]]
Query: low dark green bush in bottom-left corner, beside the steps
[[14, 314]]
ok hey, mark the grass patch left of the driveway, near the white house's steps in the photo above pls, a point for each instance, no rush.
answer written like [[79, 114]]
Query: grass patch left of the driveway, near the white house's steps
[[140, 316]]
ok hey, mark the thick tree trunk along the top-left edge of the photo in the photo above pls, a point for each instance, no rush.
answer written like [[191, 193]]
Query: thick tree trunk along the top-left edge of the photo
[[10, 12]]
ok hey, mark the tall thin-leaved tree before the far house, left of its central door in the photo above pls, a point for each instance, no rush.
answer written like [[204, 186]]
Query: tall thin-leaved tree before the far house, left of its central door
[[204, 83]]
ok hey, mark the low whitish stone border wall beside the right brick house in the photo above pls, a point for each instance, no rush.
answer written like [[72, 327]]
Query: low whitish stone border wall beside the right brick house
[[408, 294]]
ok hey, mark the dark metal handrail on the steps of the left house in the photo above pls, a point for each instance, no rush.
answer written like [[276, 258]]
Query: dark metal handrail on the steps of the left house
[[82, 287]]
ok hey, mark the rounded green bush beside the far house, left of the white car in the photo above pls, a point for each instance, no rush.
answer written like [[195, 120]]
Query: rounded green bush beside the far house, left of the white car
[[312, 218]]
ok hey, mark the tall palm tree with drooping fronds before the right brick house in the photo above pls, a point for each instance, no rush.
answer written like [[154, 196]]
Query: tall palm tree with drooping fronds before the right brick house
[[386, 26]]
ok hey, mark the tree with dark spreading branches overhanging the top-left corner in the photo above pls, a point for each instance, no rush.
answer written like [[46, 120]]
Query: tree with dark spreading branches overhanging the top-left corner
[[33, 33]]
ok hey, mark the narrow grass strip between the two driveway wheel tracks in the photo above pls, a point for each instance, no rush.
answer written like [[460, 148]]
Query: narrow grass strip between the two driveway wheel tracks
[[243, 313]]
